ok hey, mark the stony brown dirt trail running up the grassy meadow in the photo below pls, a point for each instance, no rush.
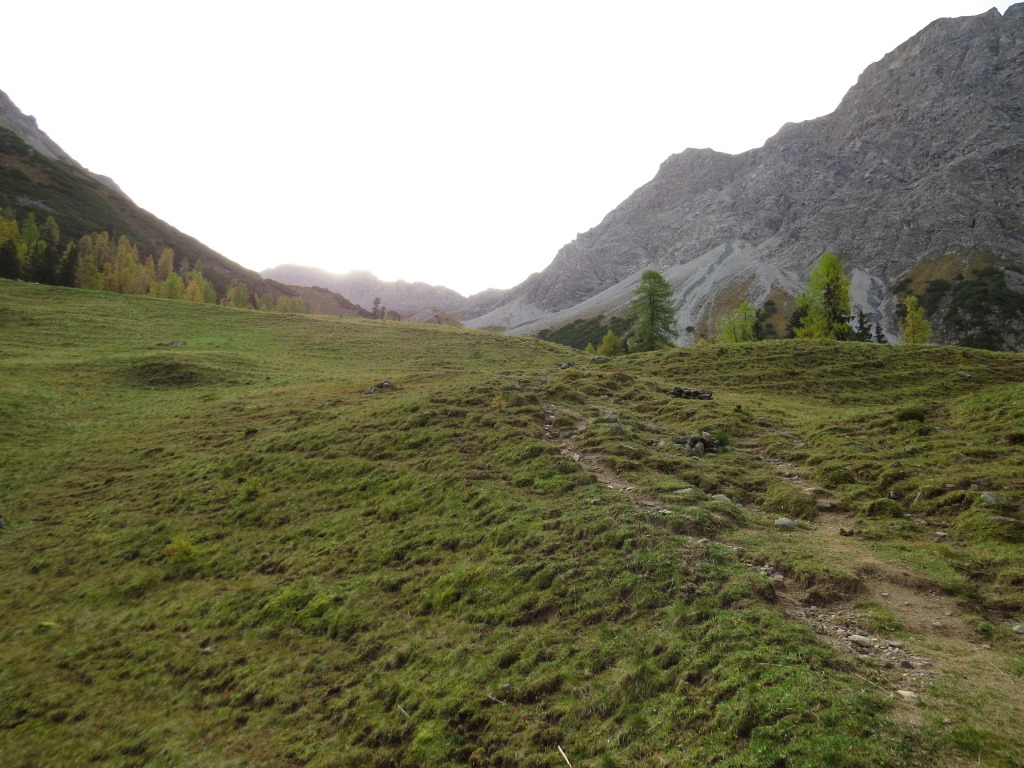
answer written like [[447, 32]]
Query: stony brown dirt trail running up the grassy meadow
[[943, 638]]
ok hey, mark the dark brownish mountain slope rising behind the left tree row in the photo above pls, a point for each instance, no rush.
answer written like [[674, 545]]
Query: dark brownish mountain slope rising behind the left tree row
[[36, 176]]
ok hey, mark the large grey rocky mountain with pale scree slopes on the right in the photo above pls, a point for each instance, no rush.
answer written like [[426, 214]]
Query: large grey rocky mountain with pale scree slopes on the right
[[915, 178]]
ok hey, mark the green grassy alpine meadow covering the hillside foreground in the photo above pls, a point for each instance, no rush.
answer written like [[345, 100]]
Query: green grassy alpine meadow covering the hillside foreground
[[233, 538]]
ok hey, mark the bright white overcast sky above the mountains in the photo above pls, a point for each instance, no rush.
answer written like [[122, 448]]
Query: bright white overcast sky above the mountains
[[458, 144]]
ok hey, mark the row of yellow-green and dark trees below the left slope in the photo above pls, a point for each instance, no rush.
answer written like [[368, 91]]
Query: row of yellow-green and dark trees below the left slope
[[37, 253]]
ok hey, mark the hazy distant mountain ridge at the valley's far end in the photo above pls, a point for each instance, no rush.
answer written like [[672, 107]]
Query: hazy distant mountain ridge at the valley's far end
[[363, 288]]
